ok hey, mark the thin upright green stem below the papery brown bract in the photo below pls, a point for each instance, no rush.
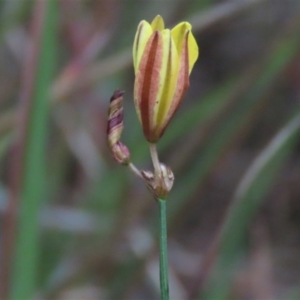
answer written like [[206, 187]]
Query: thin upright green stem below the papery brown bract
[[163, 250]]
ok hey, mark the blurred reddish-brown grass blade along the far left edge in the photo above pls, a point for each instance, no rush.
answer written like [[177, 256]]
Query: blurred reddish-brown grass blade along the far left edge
[[10, 215]]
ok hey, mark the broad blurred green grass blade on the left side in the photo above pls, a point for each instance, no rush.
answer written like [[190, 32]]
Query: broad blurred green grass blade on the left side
[[32, 164]]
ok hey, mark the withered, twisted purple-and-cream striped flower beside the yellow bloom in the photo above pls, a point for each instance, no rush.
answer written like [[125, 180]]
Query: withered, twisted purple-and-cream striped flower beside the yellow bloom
[[115, 127]]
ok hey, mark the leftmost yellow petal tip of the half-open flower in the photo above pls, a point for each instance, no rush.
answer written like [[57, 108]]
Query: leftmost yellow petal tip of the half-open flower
[[142, 36]]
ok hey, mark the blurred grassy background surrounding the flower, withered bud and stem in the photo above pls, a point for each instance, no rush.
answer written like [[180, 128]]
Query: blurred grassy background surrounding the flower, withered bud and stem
[[76, 225]]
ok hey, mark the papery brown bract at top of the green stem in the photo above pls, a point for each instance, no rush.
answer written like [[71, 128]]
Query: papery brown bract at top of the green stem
[[161, 183]]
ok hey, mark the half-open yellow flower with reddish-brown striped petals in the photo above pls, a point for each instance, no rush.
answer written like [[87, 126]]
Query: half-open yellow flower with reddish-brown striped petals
[[163, 60]]
